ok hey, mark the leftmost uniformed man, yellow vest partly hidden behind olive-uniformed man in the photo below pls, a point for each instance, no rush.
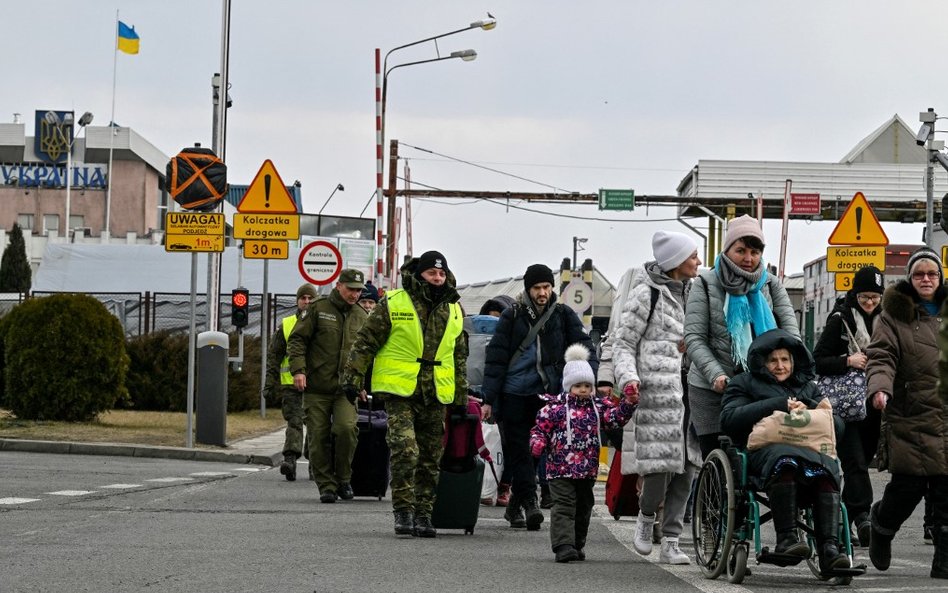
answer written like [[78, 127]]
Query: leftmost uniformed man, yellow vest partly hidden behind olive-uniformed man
[[278, 373]]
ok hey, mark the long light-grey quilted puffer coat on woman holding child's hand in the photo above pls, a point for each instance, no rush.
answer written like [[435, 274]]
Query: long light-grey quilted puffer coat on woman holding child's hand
[[657, 438]]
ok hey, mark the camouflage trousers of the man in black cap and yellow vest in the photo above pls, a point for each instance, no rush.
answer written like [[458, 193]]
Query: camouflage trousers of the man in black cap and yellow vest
[[415, 430]]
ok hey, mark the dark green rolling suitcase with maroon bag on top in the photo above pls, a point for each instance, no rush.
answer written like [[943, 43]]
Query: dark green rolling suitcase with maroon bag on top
[[458, 496]]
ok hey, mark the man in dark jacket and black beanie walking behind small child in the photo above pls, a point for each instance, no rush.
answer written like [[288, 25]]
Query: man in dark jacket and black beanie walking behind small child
[[518, 370]]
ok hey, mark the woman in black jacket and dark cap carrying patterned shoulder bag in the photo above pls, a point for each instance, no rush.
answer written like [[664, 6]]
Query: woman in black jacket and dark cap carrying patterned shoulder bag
[[836, 354]]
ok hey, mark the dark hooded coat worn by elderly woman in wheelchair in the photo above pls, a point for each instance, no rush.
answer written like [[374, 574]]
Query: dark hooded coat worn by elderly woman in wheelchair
[[756, 394]]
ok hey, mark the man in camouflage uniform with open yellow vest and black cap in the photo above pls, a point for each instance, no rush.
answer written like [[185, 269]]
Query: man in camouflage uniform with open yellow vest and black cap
[[420, 365]]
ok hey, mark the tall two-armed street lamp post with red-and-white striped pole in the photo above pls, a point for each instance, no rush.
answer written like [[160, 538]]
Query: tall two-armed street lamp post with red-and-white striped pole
[[381, 79]]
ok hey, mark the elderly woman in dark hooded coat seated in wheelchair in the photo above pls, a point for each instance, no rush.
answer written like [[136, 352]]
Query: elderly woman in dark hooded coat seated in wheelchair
[[780, 377]]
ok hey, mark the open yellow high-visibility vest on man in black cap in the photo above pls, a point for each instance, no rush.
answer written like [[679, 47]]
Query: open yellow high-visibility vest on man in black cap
[[399, 361]]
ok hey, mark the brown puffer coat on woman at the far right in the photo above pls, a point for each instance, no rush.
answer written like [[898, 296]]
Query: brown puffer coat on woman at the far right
[[903, 362]]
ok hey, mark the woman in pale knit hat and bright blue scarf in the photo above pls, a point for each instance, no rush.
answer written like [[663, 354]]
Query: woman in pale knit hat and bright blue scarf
[[729, 305]]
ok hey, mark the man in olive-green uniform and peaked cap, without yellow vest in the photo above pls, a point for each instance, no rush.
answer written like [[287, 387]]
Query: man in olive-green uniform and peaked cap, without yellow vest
[[317, 350]]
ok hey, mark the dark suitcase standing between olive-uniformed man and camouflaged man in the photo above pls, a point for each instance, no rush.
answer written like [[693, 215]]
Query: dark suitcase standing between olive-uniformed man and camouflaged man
[[371, 470]]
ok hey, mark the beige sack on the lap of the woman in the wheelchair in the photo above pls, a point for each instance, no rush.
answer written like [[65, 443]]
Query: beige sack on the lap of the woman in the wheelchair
[[811, 429]]
